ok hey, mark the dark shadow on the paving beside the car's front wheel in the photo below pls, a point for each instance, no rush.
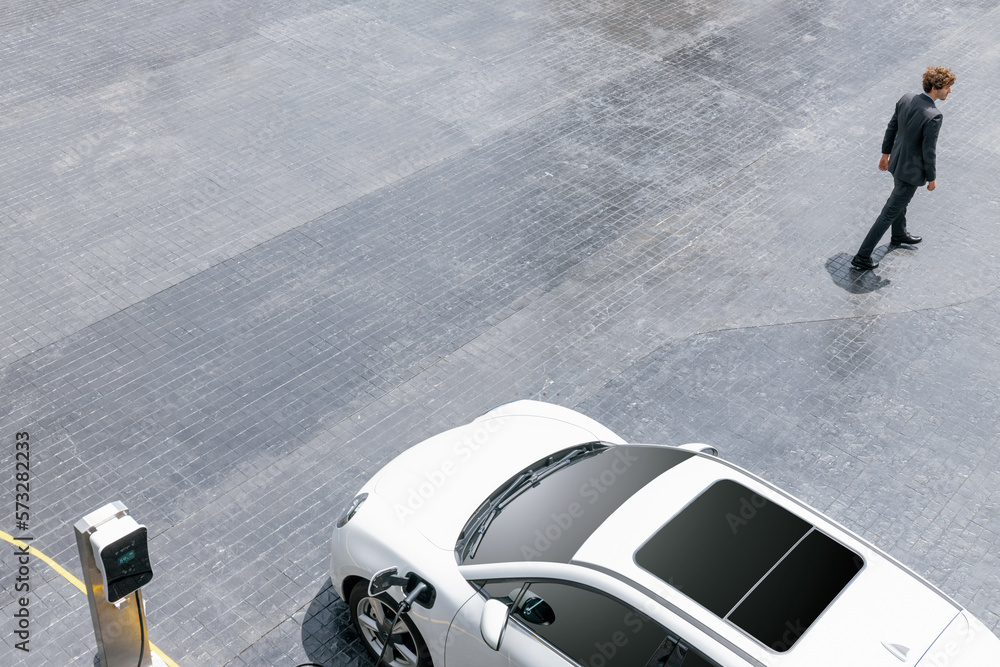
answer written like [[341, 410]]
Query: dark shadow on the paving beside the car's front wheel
[[328, 636]]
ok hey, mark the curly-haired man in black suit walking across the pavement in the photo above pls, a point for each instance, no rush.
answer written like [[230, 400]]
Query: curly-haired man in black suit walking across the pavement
[[908, 153]]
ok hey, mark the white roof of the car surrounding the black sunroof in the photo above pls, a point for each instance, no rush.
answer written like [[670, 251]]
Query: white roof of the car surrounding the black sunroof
[[892, 599]]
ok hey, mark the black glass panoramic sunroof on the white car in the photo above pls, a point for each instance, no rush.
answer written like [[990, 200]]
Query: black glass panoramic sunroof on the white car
[[751, 562]]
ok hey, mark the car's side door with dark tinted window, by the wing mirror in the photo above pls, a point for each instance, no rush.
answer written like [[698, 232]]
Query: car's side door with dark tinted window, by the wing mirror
[[561, 623]]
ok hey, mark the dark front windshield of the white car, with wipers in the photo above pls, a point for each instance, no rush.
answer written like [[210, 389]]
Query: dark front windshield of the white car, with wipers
[[549, 509]]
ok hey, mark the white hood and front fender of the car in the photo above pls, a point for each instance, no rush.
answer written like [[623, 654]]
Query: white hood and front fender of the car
[[388, 531]]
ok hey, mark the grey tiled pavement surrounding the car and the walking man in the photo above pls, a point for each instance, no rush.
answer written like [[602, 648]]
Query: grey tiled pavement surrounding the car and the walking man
[[251, 250]]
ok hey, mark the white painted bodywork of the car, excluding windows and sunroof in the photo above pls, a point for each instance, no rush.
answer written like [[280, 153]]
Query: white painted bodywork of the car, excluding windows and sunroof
[[886, 614]]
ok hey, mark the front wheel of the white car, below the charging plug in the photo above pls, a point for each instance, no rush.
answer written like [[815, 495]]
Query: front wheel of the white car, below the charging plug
[[372, 615]]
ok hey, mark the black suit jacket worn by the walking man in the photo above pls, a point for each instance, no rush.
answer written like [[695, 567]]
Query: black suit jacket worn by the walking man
[[911, 139]]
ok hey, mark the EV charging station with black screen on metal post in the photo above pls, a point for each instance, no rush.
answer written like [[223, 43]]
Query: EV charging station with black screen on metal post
[[115, 560]]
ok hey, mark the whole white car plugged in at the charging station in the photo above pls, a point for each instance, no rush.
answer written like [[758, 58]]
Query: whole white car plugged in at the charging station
[[535, 536]]
